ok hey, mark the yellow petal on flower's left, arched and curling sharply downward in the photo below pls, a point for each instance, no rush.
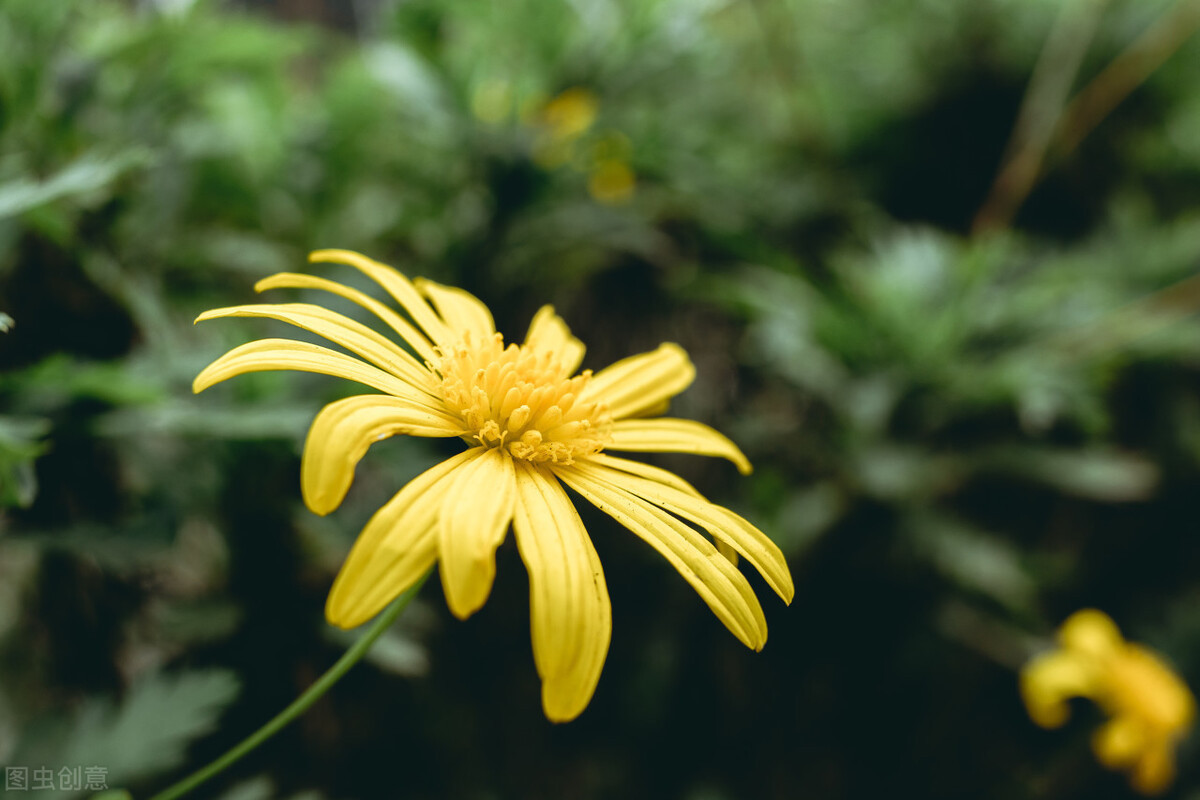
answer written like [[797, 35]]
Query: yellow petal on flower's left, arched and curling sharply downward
[[343, 432]]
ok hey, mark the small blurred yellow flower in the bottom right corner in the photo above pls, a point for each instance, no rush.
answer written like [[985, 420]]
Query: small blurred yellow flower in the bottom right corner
[[1151, 709]]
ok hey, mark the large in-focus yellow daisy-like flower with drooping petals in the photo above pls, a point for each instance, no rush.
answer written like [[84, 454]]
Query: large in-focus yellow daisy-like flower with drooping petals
[[531, 428]]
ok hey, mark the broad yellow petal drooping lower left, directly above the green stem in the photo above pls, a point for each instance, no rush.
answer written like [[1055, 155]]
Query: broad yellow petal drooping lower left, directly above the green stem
[[398, 546]]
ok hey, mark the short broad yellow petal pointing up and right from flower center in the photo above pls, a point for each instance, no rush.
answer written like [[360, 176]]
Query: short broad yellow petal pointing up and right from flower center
[[643, 382]]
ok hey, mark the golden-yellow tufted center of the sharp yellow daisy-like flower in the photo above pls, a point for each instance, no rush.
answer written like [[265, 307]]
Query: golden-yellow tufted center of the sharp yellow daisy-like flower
[[520, 399]]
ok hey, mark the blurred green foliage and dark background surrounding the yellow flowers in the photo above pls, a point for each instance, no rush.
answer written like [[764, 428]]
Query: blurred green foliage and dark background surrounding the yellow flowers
[[971, 395]]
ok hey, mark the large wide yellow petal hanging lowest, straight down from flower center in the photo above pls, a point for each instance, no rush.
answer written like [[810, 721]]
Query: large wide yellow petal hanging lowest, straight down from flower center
[[571, 613]]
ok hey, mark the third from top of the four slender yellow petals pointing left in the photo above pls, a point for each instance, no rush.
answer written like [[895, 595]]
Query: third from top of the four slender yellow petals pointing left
[[340, 330]]
